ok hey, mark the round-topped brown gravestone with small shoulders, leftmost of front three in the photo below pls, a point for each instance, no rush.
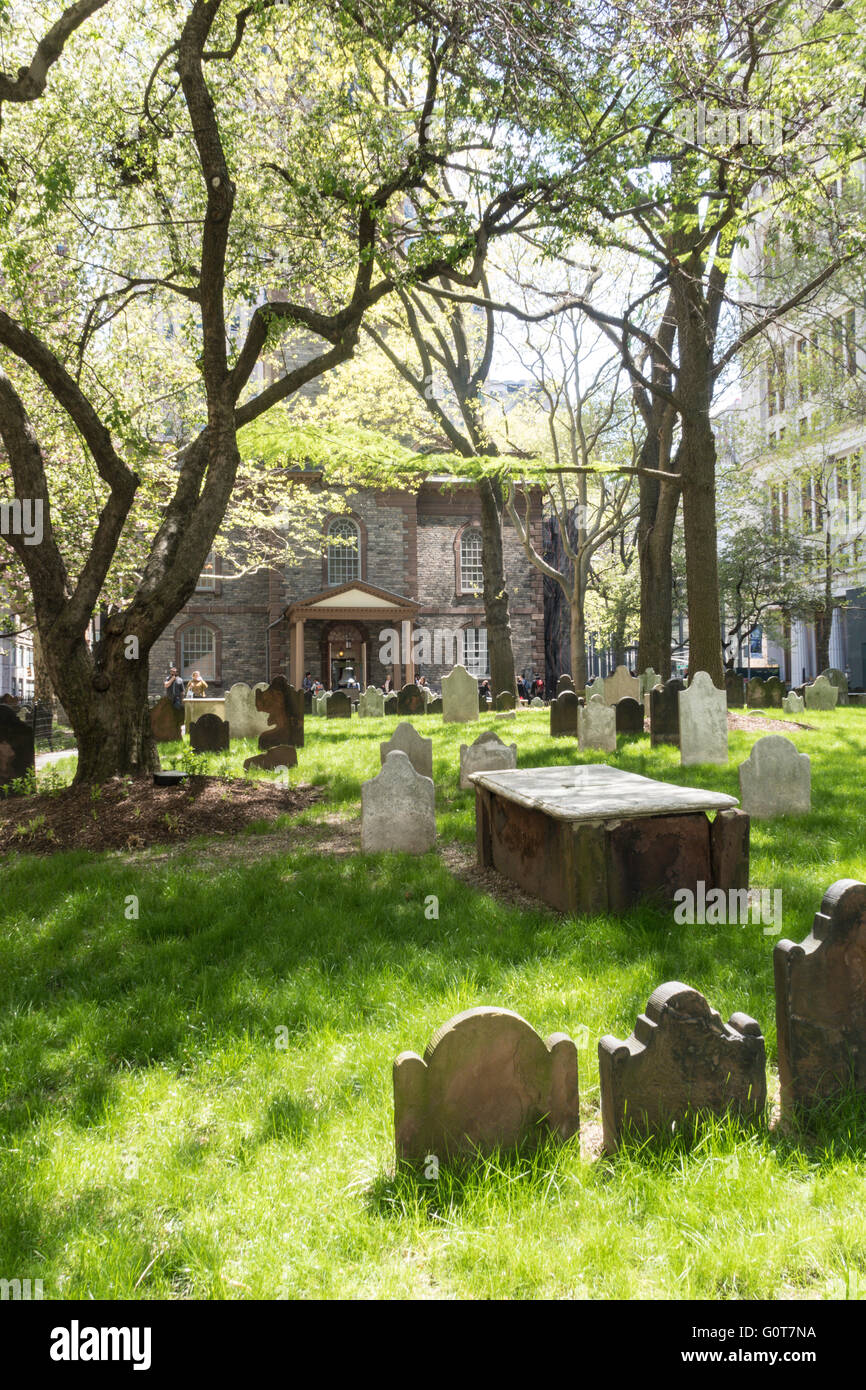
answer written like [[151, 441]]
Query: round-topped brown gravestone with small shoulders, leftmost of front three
[[487, 1082]]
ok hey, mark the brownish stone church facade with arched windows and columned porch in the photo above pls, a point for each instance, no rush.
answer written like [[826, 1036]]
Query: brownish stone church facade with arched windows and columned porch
[[395, 589]]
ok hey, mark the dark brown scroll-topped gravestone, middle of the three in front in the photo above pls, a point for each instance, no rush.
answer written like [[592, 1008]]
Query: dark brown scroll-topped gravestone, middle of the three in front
[[680, 1063]]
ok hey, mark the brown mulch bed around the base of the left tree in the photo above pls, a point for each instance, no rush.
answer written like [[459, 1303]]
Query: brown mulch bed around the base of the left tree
[[134, 814]]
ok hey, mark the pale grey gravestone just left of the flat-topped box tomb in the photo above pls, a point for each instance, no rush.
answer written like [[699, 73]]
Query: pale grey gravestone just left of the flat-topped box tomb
[[398, 810]]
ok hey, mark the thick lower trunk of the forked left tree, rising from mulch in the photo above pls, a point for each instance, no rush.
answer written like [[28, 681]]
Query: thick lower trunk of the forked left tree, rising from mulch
[[106, 704]]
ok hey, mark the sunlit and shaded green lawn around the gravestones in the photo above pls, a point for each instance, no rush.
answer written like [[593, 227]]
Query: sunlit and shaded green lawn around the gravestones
[[158, 1142]]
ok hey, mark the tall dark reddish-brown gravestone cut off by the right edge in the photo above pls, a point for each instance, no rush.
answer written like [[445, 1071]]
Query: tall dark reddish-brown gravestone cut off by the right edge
[[821, 1001]]
